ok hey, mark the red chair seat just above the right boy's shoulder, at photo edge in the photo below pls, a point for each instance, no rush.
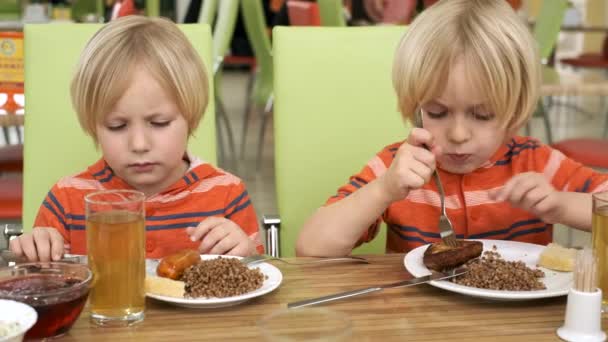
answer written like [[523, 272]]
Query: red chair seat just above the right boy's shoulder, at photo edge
[[588, 151]]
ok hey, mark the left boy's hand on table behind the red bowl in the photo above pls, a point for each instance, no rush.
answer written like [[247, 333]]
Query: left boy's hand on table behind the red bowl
[[42, 244]]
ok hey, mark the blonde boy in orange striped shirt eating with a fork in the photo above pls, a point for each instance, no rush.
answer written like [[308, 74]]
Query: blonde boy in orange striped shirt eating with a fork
[[470, 70]]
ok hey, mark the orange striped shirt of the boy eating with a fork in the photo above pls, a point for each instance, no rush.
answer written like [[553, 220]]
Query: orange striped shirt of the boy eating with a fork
[[413, 221]]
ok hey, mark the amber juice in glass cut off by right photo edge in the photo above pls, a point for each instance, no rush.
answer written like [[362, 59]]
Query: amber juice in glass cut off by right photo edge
[[600, 247]]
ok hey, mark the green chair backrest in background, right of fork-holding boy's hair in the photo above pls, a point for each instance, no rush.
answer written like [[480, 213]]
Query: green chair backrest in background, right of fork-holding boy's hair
[[547, 26]]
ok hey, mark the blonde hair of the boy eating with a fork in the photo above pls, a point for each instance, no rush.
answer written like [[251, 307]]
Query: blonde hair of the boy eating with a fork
[[498, 51]]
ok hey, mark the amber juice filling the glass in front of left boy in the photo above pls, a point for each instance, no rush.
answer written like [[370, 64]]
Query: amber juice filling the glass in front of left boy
[[116, 252]]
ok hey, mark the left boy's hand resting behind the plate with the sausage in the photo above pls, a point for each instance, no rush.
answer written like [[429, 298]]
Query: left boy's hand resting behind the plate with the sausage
[[219, 235]]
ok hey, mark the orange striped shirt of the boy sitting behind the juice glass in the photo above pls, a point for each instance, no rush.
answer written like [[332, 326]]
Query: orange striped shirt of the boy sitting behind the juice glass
[[202, 192]]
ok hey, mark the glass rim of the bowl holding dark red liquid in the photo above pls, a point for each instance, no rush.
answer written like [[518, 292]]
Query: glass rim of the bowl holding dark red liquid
[[85, 282]]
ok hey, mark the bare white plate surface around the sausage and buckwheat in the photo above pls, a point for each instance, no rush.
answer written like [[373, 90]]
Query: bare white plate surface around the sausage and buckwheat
[[274, 279]]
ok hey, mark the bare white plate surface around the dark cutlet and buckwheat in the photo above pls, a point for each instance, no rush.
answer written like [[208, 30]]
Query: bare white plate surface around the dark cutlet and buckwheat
[[557, 283]]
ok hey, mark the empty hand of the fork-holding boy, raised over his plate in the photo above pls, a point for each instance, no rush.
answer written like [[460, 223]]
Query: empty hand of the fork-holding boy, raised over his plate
[[532, 192]]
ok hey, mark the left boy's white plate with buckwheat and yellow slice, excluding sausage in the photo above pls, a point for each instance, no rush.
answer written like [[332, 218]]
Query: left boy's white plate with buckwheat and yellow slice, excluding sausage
[[217, 281]]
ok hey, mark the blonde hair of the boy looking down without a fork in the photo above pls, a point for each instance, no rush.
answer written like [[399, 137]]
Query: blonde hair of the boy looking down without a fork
[[107, 63]]
